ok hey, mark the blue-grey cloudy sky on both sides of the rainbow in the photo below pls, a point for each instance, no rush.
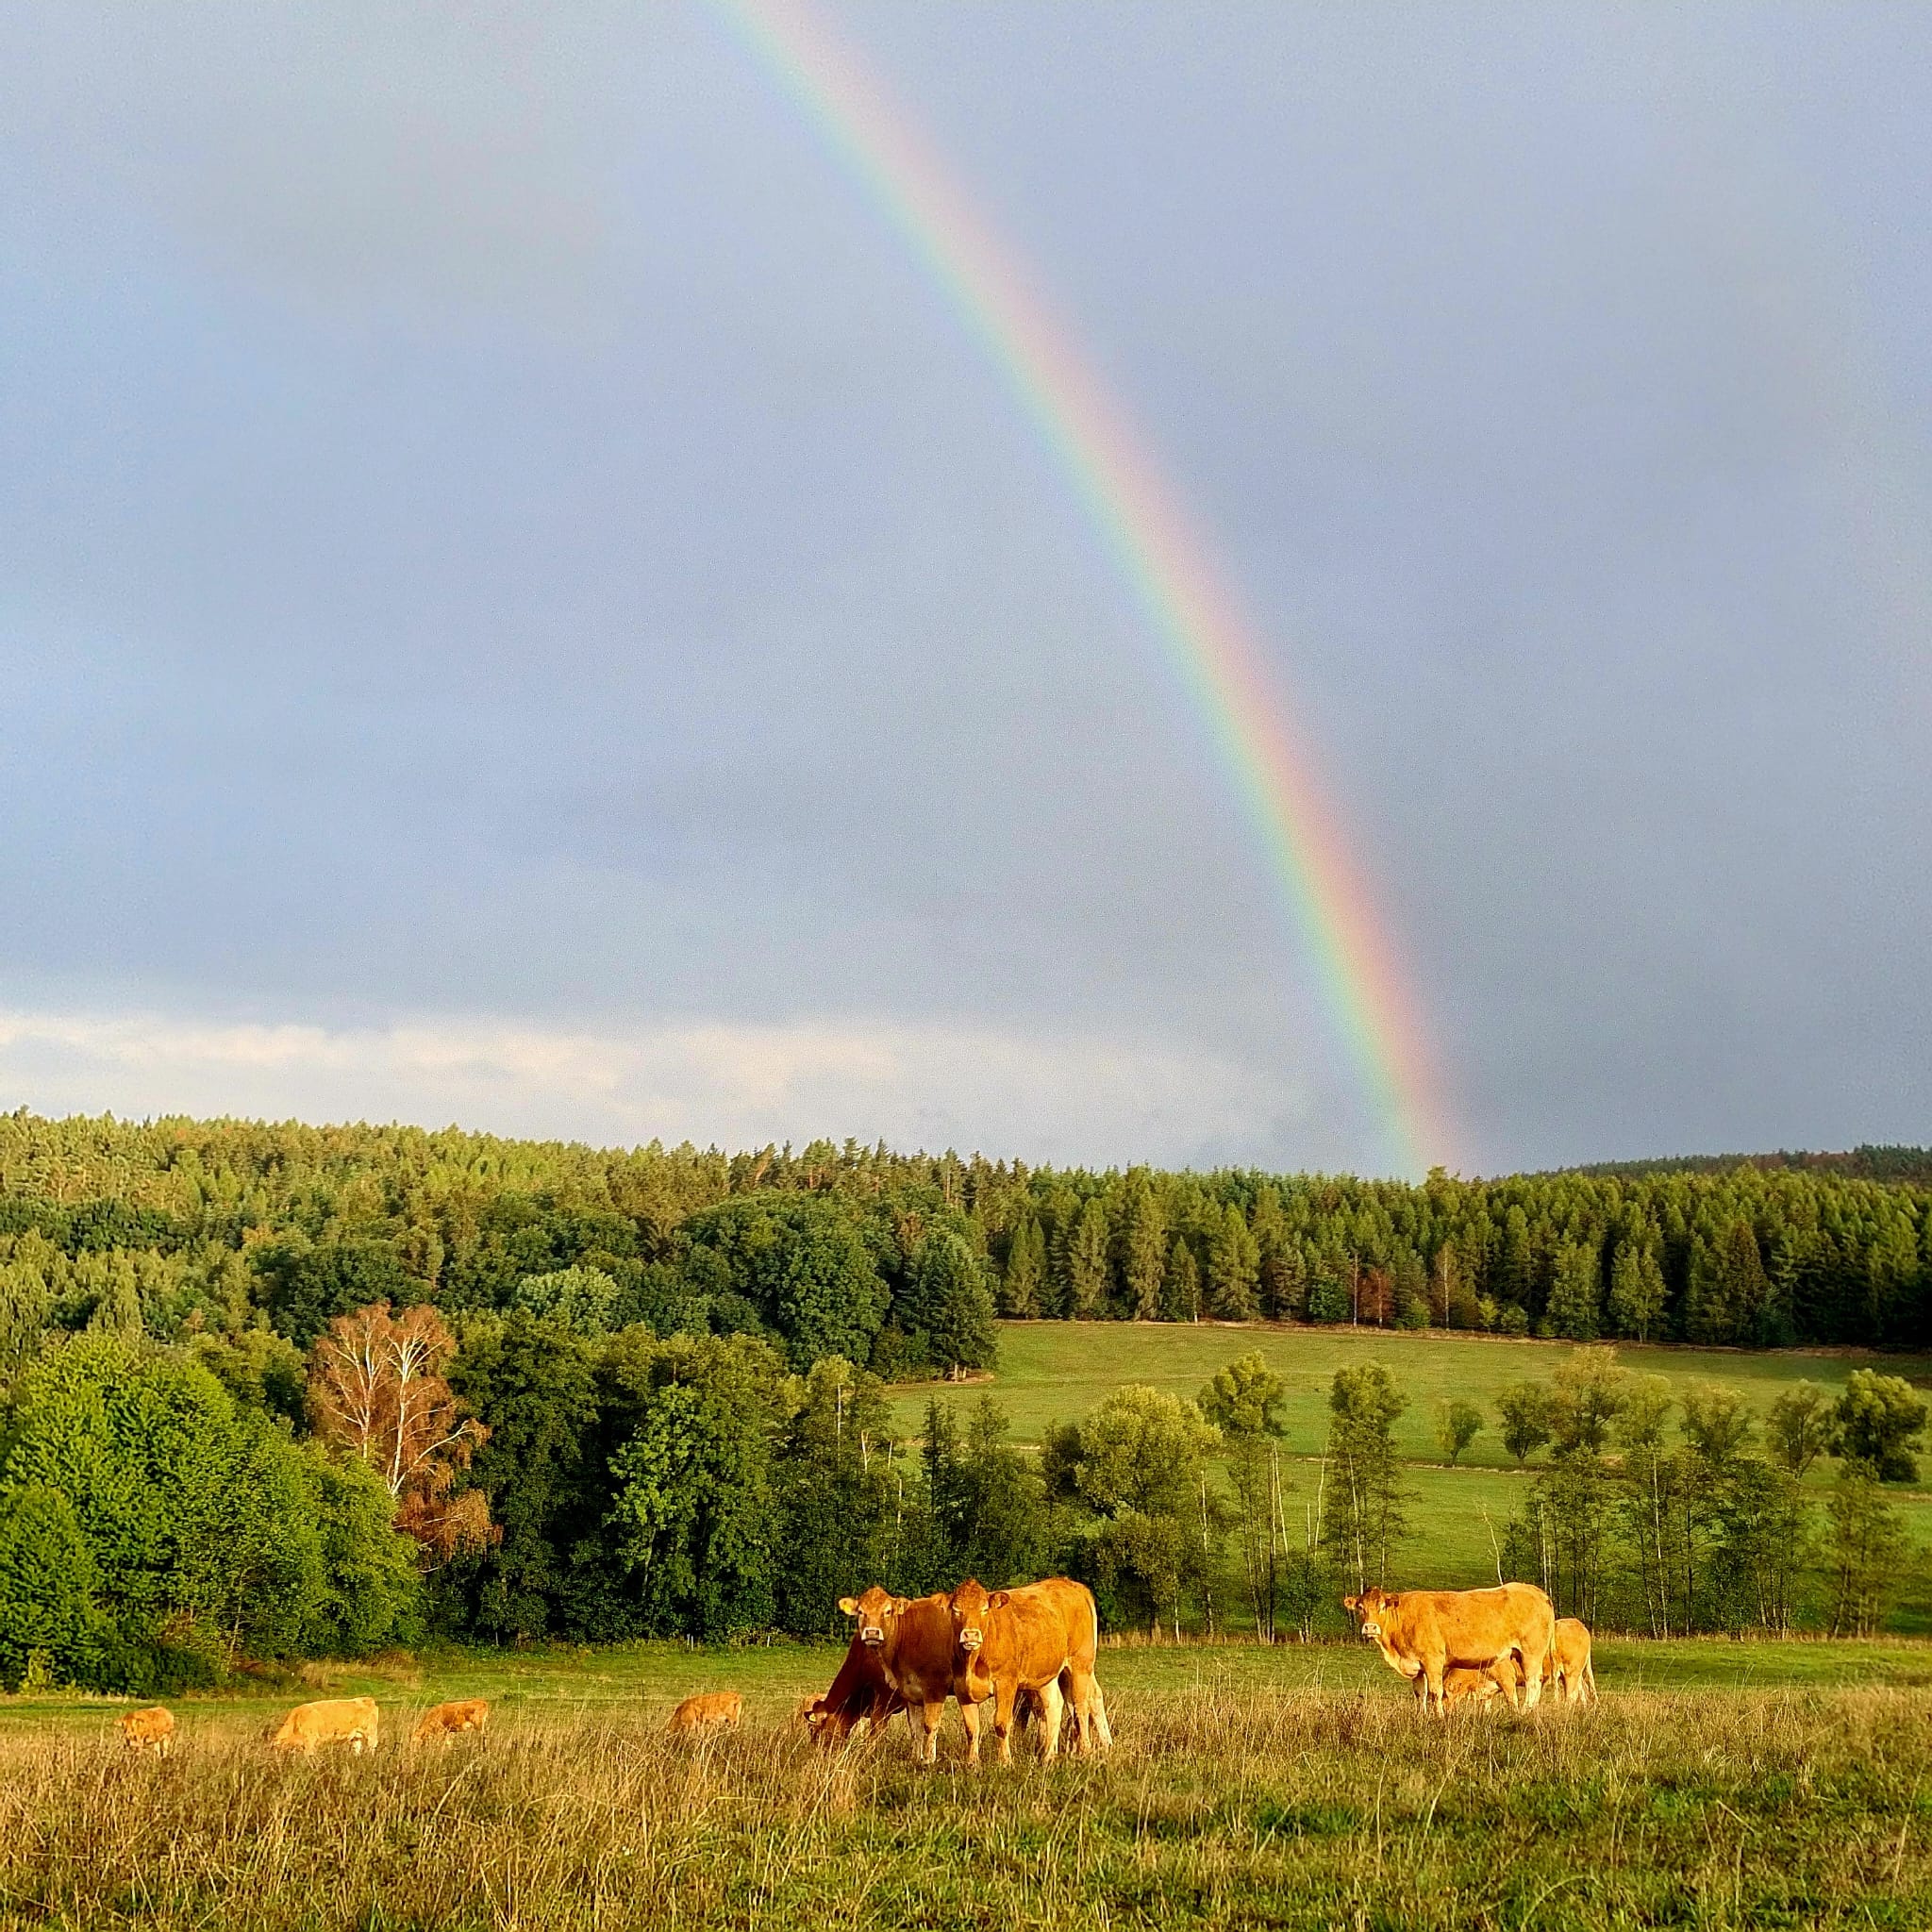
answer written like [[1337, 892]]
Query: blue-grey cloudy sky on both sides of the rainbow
[[525, 608]]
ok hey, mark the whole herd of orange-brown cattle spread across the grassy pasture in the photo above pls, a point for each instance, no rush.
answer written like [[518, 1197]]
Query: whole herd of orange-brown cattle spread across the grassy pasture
[[1031, 1655]]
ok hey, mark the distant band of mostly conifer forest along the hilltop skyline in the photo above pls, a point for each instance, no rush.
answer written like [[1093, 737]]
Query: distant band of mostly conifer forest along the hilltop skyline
[[899, 1263]]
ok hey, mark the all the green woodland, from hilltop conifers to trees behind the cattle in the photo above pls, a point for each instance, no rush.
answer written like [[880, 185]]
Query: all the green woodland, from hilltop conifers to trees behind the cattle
[[279, 1392]]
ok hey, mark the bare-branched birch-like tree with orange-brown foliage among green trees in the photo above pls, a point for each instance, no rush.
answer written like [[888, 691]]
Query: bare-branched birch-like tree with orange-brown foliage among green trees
[[378, 1390]]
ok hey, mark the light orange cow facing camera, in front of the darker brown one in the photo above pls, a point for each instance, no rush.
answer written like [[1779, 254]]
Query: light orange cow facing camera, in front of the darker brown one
[[1037, 1639]]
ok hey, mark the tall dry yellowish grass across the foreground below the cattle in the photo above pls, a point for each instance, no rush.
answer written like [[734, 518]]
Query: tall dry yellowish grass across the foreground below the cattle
[[1278, 1809]]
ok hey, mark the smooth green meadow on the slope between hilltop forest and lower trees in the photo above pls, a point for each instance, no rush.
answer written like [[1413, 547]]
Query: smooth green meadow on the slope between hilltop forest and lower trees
[[1058, 1371]]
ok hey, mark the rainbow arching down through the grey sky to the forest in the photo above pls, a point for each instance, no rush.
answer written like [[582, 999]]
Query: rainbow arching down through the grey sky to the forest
[[1205, 637]]
